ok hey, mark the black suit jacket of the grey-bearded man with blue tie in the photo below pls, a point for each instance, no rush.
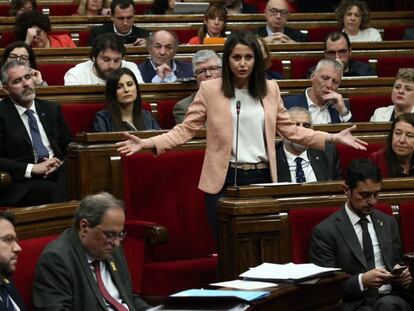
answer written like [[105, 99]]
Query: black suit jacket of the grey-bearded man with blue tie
[[16, 149]]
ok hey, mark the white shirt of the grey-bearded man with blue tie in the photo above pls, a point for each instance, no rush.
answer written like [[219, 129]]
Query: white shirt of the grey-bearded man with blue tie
[[25, 119]]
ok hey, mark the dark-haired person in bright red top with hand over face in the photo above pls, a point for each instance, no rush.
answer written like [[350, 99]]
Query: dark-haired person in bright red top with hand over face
[[33, 28]]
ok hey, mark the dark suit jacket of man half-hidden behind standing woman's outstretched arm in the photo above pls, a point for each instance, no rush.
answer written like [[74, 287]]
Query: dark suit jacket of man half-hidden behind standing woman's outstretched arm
[[325, 163]]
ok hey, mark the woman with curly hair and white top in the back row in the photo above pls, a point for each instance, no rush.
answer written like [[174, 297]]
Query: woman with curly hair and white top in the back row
[[353, 16]]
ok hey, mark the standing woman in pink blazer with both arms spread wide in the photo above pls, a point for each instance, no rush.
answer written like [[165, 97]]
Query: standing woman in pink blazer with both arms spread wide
[[261, 116]]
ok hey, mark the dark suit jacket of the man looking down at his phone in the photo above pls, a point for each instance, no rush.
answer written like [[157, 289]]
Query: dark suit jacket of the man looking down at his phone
[[334, 243]]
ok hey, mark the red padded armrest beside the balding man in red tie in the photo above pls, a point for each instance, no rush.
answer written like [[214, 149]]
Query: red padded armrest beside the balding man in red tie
[[154, 234]]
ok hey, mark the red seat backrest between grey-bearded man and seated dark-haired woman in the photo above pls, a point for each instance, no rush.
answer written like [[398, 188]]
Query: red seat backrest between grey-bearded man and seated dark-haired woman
[[80, 117]]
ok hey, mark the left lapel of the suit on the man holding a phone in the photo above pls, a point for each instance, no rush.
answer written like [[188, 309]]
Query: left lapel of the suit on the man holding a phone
[[348, 233]]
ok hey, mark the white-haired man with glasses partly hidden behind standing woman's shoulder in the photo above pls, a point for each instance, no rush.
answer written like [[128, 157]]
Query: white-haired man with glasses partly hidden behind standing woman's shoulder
[[206, 66]]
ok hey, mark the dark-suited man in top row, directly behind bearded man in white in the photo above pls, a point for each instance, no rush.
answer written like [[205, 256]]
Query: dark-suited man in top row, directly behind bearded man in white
[[122, 25]]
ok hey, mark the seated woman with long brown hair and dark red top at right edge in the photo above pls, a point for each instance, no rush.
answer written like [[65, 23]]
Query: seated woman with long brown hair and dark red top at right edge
[[396, 159]]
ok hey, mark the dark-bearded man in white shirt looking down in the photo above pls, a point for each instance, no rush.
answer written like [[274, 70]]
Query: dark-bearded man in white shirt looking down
[[106, 55]]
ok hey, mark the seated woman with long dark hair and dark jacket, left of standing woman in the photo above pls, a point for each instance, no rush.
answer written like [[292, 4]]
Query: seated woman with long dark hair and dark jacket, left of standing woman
[[123, 105]]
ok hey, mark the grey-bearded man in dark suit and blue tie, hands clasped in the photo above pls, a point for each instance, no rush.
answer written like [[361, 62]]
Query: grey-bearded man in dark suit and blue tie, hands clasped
[[33, 141]]
